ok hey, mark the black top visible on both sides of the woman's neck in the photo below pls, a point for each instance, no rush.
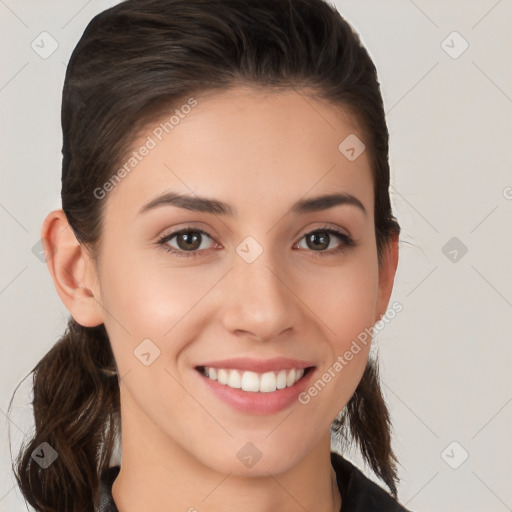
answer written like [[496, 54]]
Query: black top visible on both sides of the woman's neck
[[358, 492]]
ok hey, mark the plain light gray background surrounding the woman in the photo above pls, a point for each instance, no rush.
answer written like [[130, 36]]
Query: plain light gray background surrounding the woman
[[445, 359]]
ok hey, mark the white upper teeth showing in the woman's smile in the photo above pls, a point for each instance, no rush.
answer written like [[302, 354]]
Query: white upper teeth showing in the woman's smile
[[252, 381]]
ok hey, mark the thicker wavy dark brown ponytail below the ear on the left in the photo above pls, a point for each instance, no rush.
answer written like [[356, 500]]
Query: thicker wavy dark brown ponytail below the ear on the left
[[76, 410]]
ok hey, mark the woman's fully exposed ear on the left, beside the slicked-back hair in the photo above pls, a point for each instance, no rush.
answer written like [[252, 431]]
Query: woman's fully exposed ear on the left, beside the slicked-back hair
[[72, 270]]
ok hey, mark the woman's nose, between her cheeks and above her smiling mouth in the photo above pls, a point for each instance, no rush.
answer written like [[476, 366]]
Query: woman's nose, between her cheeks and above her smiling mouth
[[257, 299]]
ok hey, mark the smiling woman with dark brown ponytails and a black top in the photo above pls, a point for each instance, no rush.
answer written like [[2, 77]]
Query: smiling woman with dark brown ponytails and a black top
[[225, 239]]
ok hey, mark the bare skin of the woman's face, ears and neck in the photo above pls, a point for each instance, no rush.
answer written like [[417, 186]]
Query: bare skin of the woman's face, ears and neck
[[258, 151]]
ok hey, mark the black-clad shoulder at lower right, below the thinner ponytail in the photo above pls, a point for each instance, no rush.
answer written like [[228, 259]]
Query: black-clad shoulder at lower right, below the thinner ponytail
[[358, 492]]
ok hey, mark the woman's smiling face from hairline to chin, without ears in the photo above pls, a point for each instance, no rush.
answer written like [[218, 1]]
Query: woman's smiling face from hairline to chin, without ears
[[257, 286]]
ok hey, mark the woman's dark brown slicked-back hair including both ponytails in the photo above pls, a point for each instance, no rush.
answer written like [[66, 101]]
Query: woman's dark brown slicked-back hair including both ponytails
[[134, 62]]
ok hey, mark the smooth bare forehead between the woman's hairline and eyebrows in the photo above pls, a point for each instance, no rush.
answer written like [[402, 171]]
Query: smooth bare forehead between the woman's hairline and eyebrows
[[243, 146]]
